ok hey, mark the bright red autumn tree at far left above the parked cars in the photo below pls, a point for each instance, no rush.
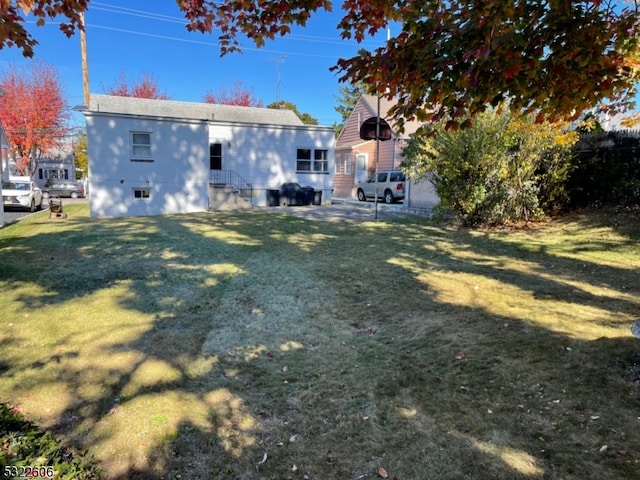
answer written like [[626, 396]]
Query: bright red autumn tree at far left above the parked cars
[[33, 112]]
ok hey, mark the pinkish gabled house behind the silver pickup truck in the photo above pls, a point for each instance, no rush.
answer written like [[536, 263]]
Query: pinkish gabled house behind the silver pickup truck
[[355, 158]]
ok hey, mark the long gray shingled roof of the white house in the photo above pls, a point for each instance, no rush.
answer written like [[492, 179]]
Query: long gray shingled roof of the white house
[[191, 110]]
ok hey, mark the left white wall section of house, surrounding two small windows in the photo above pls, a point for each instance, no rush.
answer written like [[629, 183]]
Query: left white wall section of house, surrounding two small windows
[[177, 177]]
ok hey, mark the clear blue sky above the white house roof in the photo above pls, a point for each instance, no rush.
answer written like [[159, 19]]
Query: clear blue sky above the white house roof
[[149, 37]]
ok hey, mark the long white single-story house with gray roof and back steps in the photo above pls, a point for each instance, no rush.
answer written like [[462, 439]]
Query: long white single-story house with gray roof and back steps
[[149, 157]]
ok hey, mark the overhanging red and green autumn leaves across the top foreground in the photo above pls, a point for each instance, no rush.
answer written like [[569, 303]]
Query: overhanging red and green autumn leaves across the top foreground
[[553, 58]]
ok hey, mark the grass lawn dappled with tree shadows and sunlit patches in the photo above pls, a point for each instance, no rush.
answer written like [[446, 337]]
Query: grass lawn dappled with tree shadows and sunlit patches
[[254, 345]]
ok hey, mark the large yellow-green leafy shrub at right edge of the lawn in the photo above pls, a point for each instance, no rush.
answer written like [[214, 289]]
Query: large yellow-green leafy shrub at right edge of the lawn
[[500, 169]]
